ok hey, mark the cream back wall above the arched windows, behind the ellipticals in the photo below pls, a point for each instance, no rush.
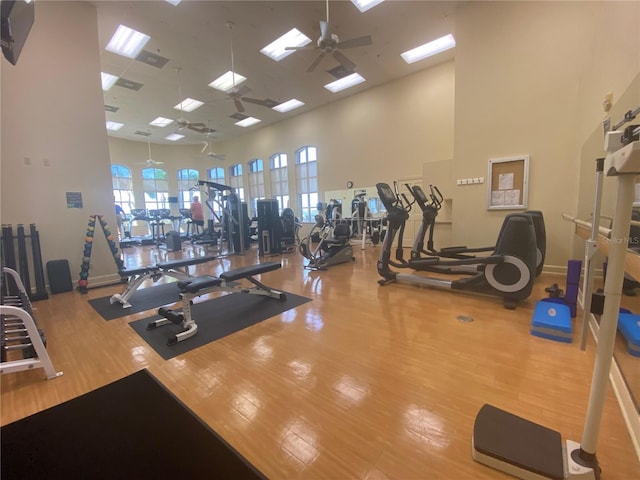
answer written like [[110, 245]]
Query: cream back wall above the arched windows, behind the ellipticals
[[382, 134]]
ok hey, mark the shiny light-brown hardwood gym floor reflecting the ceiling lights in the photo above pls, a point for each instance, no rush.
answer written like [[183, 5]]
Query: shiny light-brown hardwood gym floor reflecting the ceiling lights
[[364, 382]]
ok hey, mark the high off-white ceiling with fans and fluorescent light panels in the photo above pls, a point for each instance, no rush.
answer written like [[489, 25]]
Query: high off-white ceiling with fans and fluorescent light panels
[[196, 39]]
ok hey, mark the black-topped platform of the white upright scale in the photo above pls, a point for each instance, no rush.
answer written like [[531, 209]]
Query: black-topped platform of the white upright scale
[[517, 446]]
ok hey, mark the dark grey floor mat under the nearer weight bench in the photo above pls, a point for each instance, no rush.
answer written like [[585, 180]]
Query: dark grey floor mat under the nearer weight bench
[[216, 318]]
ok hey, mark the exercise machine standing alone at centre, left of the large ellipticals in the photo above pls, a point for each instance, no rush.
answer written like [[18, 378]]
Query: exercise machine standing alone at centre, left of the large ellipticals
[[332, 247]]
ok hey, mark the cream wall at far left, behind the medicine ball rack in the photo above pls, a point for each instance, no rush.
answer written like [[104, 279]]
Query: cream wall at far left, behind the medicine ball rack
[[52, 111]]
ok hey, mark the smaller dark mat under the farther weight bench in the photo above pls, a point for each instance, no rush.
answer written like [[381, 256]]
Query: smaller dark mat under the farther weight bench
[[142, 300]]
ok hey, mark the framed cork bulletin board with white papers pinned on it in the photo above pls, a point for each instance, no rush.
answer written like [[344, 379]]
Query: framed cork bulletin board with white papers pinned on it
[[507, 183]]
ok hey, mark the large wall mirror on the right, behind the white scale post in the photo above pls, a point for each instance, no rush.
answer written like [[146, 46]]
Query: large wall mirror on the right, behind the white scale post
[[628, 364]]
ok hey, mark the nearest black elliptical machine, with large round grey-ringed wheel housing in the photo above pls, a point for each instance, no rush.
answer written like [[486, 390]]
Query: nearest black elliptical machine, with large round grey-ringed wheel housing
[[508, 272]]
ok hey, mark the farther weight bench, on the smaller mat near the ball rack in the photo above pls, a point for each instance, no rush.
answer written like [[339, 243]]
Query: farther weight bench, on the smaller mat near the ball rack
[[178, 269]]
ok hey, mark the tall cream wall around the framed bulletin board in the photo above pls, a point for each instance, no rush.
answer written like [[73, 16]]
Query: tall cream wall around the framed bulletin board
[[530, 79]]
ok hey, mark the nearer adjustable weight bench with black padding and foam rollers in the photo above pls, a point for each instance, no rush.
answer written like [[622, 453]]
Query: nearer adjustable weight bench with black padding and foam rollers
[[189, 289]]
